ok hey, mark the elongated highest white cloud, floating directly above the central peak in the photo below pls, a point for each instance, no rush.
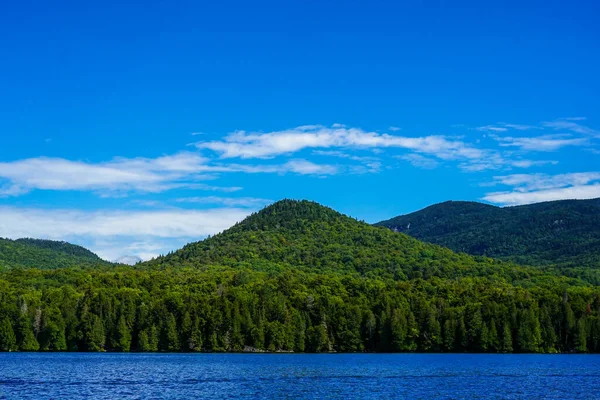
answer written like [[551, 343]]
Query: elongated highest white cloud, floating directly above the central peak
[[246, 145]]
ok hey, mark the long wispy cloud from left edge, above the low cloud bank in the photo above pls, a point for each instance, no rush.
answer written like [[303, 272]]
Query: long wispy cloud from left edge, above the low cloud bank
[[146, 175]]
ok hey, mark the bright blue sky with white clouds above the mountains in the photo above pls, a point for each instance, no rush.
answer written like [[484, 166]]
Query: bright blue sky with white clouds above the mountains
[[133, 129]]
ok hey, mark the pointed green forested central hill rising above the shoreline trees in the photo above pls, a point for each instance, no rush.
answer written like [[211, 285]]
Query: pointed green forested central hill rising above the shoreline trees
[[311, 236]]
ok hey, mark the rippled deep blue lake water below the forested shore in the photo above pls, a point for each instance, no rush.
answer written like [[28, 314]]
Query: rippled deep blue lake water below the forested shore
[[342, 376]]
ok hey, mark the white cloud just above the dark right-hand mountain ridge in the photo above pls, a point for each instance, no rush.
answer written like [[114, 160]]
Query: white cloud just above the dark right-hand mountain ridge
[[532, 188]]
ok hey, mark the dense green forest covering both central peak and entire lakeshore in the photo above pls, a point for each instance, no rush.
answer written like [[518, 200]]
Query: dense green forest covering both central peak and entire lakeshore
[[298, 276]]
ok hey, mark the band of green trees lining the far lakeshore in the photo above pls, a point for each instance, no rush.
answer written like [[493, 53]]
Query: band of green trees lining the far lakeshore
[[216, 309]]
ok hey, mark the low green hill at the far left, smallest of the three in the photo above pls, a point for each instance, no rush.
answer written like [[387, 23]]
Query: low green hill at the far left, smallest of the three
[[45, 254]]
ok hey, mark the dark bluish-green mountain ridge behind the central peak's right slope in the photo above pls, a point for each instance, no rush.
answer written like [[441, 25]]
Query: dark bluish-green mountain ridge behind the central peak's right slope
[[562, 233]]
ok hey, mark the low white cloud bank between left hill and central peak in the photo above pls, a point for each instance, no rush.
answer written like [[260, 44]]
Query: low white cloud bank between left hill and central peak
[[123, 232]]
